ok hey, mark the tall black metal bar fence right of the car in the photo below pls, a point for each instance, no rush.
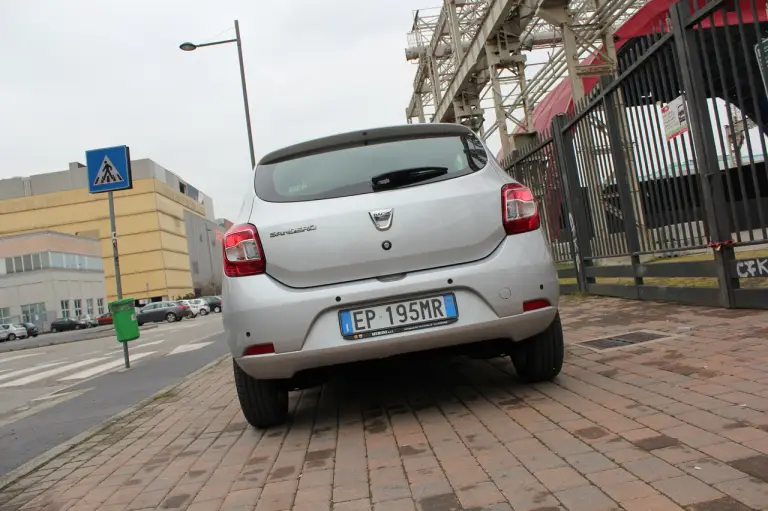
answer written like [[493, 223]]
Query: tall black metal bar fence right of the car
[[655, 185]]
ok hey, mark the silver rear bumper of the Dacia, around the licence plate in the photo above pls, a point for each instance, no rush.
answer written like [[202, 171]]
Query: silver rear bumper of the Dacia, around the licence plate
[[303, 324]]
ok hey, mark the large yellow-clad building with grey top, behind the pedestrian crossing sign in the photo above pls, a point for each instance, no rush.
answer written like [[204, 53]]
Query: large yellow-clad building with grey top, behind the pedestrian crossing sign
[[168, 239]]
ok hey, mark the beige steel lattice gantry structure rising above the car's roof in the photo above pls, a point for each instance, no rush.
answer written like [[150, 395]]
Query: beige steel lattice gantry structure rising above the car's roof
[[504, 56]]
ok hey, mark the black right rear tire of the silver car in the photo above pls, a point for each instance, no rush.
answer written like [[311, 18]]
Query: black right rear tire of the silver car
[[540, 358]]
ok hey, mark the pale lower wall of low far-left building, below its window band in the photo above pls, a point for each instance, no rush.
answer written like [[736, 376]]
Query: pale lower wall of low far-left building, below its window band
[[50, 287]]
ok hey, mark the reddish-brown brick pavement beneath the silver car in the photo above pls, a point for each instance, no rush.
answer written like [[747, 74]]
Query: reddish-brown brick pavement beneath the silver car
[[680, 423]]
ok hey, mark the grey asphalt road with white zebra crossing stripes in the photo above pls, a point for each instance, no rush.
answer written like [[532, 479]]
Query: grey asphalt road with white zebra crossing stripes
[[51, 394]]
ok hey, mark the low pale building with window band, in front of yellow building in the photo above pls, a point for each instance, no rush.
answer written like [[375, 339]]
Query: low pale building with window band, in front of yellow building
[[48, 275]]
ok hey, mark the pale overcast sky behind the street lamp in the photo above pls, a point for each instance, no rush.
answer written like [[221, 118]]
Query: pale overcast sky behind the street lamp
[[83, 74]]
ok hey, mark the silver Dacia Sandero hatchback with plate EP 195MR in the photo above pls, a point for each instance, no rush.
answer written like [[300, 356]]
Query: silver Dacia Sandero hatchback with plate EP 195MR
[[381, 242]]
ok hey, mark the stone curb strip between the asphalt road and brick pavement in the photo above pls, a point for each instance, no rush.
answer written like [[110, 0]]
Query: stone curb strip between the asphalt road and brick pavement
[[33, 464]]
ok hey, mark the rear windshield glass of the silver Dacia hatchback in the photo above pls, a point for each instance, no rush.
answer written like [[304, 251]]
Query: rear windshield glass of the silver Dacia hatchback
[[349, 170]]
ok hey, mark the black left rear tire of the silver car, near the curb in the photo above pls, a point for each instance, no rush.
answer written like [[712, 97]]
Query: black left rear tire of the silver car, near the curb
[[263, 402]]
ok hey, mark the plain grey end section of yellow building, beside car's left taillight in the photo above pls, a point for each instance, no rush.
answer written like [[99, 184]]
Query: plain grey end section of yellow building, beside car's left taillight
[[205, 252]]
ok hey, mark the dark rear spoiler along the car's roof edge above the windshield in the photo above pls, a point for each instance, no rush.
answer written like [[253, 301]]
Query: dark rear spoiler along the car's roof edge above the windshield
[[362, 137]]
